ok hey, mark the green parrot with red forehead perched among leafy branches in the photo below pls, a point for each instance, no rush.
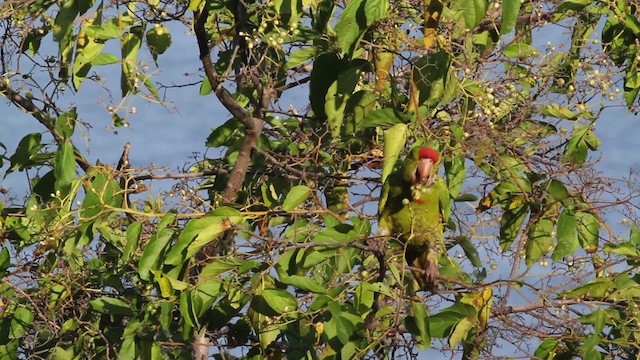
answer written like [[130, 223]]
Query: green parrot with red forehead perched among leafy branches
[[414, 206]]
